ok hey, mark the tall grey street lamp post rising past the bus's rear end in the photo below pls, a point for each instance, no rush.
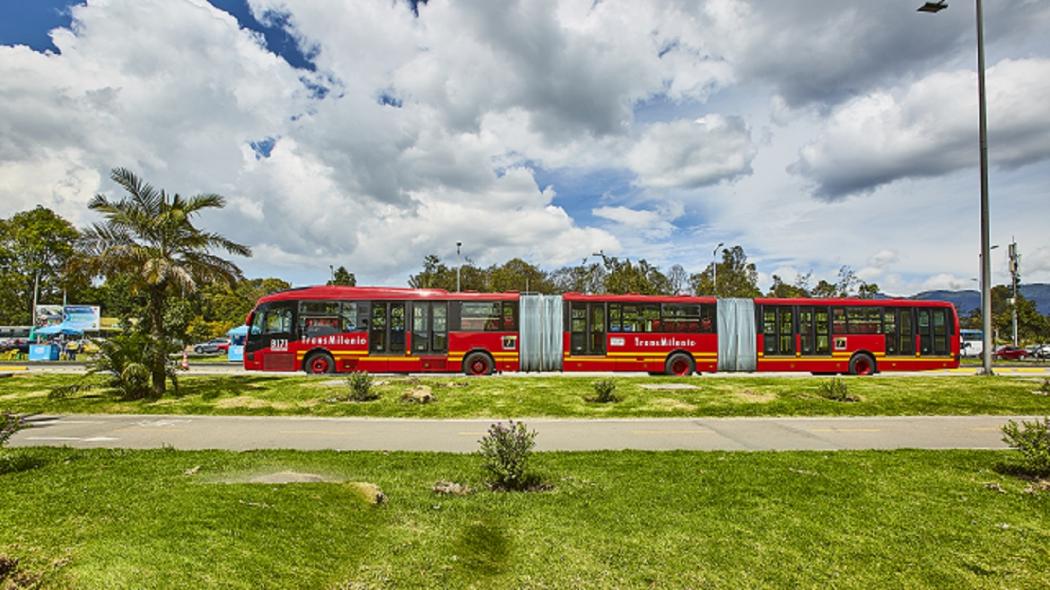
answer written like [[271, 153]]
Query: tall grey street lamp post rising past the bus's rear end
[[983, 139]]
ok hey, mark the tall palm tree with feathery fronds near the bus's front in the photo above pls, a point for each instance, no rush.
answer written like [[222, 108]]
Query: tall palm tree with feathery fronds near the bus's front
[[150, 238]]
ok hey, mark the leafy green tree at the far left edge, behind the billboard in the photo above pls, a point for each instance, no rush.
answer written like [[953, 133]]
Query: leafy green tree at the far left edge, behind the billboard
[[36, 243]]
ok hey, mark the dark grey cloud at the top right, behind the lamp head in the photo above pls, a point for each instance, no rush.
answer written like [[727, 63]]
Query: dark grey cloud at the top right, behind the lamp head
[[824, 52]]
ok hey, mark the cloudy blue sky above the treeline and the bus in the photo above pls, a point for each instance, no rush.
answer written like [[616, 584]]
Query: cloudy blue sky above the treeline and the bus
[[368, 134]]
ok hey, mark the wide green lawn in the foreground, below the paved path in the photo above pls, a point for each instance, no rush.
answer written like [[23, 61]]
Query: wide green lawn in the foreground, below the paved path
[[113, 519]]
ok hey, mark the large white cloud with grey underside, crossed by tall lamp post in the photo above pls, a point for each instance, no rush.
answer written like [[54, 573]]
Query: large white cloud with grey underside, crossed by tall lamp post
[[929, 129]]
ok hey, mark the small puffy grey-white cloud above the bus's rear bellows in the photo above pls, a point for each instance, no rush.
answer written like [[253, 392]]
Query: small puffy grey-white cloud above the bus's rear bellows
[[694, 154]]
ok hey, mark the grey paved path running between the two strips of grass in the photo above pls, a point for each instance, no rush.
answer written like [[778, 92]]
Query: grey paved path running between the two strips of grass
[[461, 436]]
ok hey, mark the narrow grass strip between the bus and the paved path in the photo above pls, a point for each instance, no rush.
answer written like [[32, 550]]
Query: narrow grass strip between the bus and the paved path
[[547, 396]]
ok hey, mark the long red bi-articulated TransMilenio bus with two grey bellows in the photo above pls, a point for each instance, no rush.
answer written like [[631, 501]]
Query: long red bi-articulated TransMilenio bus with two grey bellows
[[392, 330]]
